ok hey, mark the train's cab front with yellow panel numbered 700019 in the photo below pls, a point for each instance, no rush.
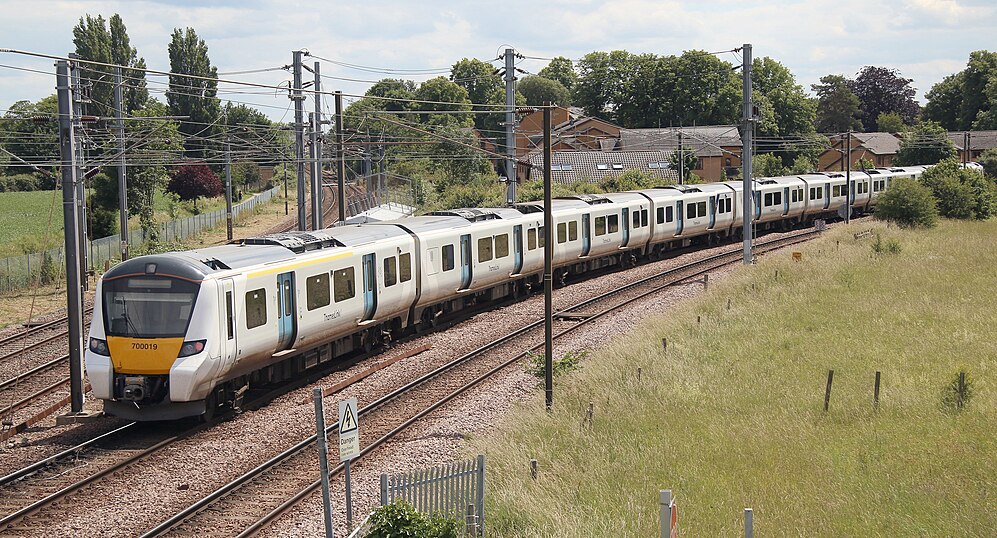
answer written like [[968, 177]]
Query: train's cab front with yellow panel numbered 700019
[[146, 307]]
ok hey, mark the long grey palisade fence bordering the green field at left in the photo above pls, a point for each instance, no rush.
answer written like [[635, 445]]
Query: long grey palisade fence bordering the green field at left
[[19, 272]]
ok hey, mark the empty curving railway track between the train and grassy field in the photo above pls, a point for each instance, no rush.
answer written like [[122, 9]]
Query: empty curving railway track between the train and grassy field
[[252, 501]]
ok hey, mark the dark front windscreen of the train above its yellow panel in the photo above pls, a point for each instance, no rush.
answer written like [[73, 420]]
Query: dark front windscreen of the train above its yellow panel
[[148, 306]]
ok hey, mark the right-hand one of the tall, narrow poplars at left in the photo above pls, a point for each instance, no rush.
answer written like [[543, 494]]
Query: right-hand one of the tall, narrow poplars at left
[[193, 90]]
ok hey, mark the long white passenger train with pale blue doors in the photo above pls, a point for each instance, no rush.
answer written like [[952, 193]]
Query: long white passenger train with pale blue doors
[[178, 334]]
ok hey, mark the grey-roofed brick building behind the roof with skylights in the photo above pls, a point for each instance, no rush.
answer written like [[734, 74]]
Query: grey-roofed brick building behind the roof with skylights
[[718, 147]]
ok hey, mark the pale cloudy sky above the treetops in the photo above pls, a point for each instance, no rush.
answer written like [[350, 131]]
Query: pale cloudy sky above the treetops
[[924, 39]]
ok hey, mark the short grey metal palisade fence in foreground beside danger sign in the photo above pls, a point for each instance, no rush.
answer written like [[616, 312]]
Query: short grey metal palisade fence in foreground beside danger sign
[[449, 489]]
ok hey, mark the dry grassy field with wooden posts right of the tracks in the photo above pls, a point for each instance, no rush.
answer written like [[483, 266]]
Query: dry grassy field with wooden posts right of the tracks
[[731, 416]]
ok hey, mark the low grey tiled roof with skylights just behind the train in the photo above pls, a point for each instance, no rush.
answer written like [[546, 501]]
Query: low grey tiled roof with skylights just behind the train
[[594, 166]]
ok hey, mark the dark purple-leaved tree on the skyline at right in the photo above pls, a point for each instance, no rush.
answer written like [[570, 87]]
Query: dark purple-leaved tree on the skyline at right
[[881, 89]]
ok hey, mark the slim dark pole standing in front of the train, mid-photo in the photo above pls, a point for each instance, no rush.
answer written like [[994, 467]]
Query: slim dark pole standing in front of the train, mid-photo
[[548, 267]]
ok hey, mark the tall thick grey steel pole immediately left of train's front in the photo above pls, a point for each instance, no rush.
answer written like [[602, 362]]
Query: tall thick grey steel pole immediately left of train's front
[[70, 219]]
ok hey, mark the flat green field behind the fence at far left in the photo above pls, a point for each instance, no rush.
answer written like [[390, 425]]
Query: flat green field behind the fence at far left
[[25, 221]]
